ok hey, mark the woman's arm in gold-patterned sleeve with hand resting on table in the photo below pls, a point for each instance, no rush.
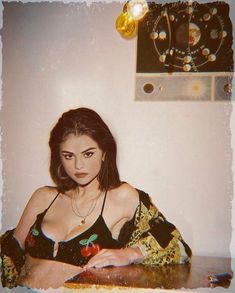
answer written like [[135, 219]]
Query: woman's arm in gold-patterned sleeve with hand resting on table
[[147, 238]]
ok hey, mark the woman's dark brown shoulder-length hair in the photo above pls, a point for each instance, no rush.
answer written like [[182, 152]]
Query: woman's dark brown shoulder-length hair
[[83, 121]]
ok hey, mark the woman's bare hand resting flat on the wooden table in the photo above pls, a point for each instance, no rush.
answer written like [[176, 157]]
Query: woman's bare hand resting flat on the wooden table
[[114, 257]]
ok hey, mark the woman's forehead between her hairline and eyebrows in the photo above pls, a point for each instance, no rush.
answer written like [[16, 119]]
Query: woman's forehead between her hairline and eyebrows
[[78, 142]]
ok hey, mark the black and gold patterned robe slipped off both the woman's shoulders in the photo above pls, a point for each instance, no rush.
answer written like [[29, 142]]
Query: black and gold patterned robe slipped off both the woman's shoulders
[[159, 241]]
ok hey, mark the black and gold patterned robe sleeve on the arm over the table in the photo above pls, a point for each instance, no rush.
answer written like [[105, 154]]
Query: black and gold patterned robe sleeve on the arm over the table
[[159, 241]]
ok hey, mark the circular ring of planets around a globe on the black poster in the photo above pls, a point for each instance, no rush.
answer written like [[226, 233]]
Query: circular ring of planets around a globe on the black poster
[[189, 37]]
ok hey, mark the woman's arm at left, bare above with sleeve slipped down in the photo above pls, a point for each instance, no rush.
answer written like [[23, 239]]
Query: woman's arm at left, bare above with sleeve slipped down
[[12, 241]]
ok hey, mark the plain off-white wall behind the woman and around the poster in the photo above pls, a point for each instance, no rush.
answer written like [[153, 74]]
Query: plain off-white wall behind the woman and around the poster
[[59, 56]]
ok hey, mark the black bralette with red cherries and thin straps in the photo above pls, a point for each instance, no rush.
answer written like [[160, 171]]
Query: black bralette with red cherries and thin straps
[[77, 250]]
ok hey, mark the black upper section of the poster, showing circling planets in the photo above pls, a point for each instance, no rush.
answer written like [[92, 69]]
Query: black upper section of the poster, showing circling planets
[[188, 37]]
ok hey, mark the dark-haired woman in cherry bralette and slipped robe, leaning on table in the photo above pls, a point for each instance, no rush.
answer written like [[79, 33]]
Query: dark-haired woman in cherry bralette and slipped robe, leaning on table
[[90, 218]]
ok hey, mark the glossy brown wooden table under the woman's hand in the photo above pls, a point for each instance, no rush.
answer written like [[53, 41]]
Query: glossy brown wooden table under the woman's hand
[[190, 276]]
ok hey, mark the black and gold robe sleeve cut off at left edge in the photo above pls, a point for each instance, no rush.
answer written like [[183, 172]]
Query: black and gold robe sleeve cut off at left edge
[[12, 259]]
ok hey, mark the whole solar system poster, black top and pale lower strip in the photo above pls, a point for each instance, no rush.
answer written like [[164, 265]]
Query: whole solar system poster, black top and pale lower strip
[[183, 43]]
